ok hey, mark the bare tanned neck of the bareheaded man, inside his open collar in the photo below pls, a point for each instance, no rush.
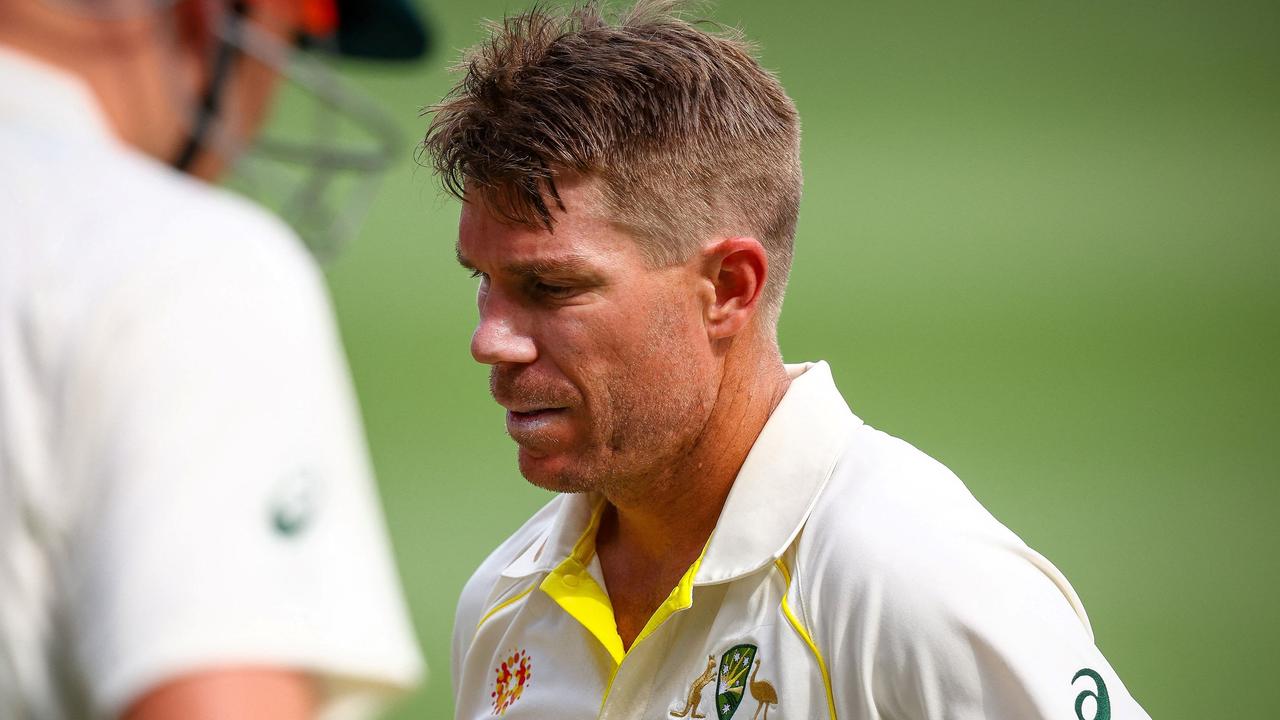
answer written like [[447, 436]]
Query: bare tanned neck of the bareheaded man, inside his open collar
[[646, 545]]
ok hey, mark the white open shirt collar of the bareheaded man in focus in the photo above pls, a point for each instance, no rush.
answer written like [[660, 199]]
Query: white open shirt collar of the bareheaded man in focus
[[772, 496]]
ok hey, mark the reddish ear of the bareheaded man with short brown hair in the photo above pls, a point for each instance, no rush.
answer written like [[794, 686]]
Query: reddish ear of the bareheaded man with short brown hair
[[737, 268]]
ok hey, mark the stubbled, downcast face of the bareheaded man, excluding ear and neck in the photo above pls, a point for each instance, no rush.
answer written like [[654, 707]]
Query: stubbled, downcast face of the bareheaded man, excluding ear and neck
[[604, 363]]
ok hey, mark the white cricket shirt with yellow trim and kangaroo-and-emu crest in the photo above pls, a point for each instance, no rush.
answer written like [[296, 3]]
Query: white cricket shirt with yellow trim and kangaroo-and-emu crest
[[849, 576]]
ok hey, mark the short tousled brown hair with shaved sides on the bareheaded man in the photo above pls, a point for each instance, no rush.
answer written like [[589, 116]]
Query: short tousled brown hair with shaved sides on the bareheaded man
[[688, 134]]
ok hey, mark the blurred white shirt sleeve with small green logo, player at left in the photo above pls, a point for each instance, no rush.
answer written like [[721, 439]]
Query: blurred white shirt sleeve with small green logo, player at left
[[228, 516]]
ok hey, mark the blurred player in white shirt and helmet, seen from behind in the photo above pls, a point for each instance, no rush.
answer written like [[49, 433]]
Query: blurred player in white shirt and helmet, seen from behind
[[189, 527]]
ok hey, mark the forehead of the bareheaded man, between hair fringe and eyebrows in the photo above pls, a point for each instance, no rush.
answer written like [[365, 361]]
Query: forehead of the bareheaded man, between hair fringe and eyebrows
[[580, 233]]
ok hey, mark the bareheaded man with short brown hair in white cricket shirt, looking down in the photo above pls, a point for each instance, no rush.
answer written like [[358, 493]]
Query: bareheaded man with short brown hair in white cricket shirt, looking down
[[732, 541]]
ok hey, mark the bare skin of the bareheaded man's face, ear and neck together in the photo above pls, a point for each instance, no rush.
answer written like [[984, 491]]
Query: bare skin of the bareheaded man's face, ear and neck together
[[646, 385]]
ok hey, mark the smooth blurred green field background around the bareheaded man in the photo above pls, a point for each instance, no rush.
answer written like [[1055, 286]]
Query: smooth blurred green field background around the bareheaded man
[[1040, 241]]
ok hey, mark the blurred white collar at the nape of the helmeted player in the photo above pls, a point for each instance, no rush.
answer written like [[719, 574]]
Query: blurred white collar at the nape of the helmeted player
[[49, 99]]
